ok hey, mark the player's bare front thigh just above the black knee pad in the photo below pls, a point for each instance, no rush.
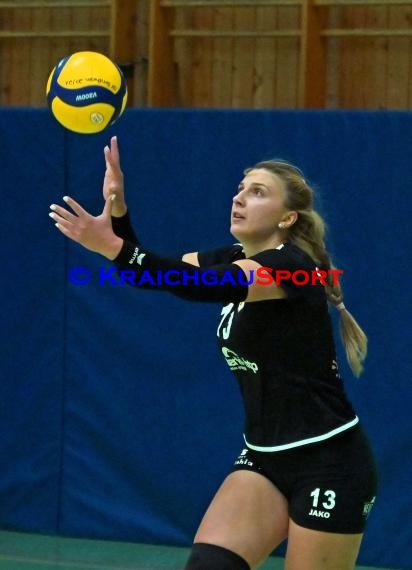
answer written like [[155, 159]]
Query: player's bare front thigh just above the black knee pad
[[248, 516]]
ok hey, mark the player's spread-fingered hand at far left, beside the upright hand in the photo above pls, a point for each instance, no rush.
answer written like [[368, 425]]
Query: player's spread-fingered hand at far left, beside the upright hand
[[92, 232]]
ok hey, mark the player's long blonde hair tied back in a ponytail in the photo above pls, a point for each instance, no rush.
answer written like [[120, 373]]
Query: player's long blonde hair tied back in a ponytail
[[308, 233]]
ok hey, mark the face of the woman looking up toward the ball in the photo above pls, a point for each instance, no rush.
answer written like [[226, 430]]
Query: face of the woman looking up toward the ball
[[258, 207]]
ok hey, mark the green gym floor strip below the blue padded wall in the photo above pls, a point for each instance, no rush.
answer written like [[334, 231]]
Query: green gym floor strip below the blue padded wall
[[20, 551]]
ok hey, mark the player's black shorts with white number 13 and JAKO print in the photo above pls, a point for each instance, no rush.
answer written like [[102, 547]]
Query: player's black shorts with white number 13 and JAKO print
[[330, 486]]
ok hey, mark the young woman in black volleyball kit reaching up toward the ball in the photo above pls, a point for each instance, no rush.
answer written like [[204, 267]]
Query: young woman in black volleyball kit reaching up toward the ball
[[306, 473]]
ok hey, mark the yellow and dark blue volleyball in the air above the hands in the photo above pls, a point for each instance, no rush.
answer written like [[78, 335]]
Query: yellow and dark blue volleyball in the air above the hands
[[86, 92]]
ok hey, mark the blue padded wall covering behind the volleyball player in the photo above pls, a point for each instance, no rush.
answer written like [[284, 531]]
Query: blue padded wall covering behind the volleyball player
[[118, 416]]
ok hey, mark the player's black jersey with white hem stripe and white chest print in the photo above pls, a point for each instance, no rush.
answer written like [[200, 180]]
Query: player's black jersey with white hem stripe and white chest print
[[282, 353]]
